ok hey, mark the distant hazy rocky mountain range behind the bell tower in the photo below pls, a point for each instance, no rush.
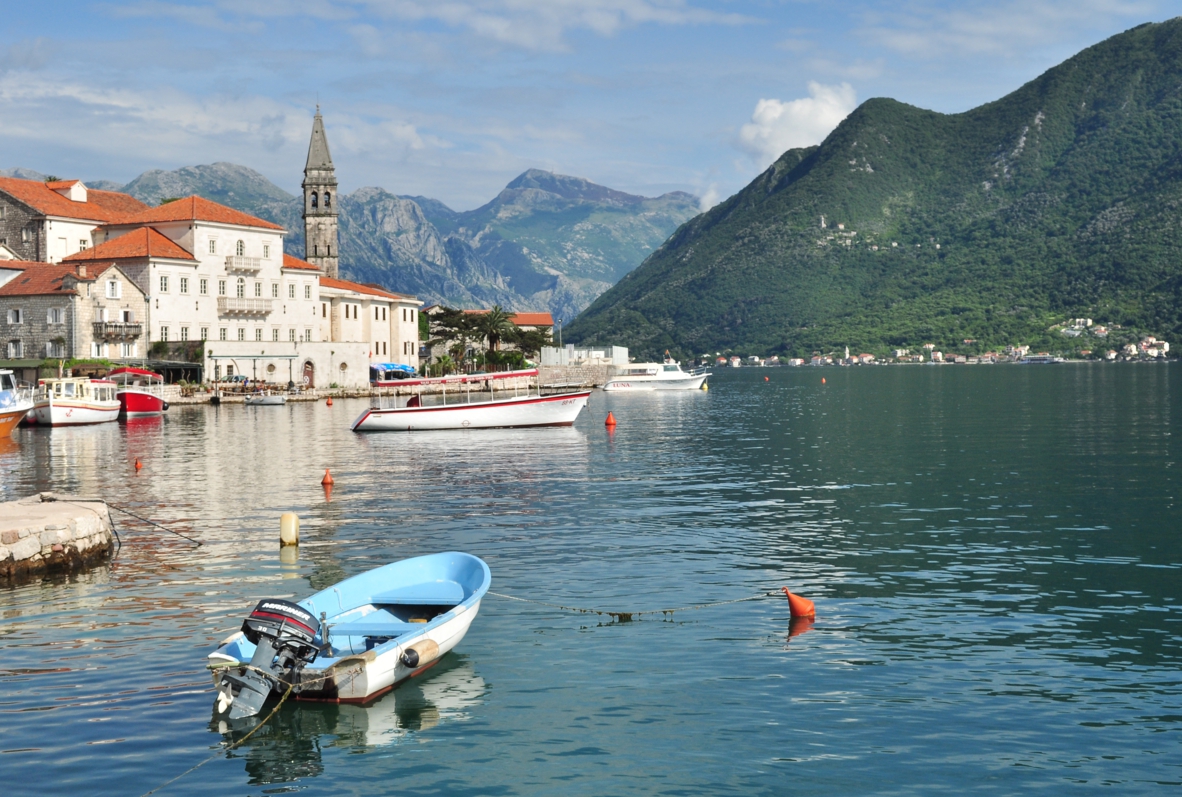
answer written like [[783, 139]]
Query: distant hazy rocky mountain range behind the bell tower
[[545, 243]]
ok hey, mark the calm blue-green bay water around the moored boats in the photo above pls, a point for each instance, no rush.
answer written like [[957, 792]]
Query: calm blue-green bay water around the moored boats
[[995, 553]]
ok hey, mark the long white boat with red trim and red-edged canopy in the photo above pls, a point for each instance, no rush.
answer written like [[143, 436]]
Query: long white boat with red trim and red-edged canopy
[[458, 407]]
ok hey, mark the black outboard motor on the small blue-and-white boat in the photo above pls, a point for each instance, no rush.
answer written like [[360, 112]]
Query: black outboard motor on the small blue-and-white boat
[[284, 636]]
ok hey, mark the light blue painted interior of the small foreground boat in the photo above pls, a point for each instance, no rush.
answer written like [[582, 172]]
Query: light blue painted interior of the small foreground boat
[[356, 593]]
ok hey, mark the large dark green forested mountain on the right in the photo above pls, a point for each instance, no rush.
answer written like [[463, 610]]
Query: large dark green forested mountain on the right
[[996, 226]]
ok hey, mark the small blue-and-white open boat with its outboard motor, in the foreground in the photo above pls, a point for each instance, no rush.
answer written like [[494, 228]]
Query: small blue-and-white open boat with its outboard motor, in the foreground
[[355, 640]]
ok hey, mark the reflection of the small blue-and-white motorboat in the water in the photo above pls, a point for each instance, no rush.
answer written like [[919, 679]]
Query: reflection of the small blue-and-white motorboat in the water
[[290, 747]]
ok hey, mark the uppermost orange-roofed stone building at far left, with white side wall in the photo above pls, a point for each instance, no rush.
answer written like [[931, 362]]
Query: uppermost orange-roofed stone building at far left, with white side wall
[[48, 222]]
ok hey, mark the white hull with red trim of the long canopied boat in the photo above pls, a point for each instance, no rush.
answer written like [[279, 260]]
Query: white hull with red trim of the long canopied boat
[[506, 413]]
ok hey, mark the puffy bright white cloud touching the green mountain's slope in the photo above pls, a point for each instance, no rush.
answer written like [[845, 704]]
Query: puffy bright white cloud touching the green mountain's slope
[[780, 126]]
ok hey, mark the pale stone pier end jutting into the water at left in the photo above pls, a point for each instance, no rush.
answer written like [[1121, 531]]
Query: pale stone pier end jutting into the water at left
[[47, 534]]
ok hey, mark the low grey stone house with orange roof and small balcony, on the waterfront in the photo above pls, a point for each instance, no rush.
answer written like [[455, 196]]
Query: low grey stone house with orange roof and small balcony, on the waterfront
[[56, 310]]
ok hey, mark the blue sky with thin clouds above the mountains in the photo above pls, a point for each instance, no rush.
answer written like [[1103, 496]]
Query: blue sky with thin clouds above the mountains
[[454, 99]]
